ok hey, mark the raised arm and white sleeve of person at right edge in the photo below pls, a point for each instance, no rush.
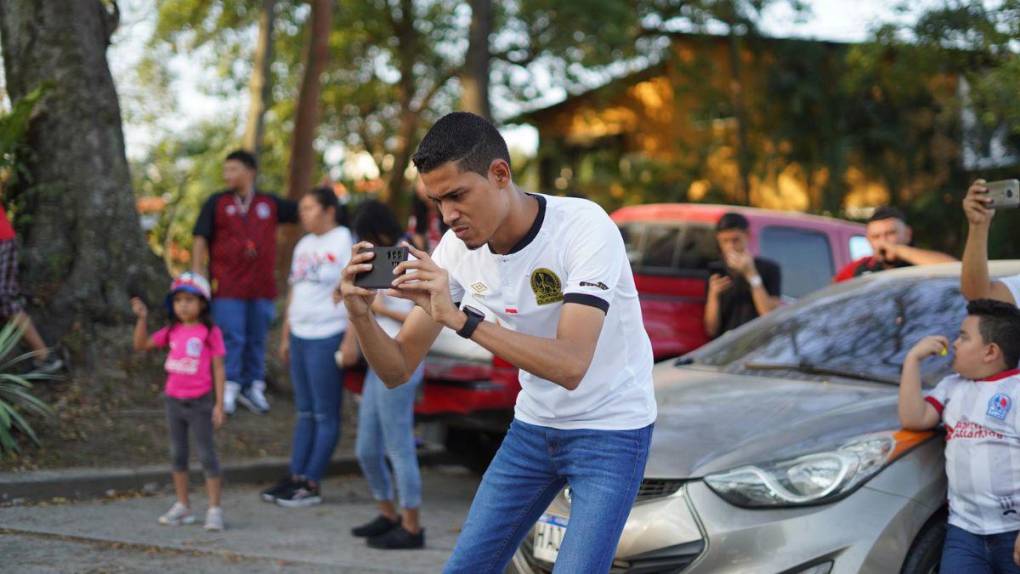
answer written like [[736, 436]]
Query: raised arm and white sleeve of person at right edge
[[975, 280]]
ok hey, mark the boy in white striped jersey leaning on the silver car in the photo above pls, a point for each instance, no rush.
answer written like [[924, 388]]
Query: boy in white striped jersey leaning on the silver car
[[979, 407]]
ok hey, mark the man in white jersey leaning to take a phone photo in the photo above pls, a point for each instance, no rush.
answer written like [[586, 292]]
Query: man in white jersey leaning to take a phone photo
[[552, 277]]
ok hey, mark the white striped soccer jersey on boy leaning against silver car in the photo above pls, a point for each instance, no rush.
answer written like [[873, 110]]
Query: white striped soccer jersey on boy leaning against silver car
[[983, 451]]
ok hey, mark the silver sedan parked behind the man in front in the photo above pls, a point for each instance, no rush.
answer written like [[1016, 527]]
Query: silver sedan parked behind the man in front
[[778, 447]]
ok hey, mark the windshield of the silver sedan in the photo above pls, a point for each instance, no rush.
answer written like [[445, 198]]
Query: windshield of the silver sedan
[[862, 330]]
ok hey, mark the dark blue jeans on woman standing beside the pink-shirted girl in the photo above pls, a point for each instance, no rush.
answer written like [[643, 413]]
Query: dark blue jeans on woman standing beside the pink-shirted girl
[[319, 389]]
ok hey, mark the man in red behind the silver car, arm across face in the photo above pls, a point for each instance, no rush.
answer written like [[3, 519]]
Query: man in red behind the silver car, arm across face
[[890, 237]]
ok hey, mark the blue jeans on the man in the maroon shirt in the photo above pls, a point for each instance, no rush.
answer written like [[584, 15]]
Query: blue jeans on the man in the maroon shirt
[[245, 324]]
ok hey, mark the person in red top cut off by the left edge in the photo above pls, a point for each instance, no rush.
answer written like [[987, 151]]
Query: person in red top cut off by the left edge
[[11, 306]]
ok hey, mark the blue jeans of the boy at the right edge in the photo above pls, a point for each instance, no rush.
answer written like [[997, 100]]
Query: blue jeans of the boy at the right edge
[[964, 553]]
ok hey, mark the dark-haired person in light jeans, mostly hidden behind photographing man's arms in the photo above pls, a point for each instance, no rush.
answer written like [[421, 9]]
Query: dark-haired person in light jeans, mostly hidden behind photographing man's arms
[[386, 416]]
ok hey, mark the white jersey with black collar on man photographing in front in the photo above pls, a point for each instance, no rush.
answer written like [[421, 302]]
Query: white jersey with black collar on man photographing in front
[[573, 254]]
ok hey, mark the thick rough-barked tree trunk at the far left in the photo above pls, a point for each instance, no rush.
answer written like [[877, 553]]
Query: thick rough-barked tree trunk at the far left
[[84, 252]]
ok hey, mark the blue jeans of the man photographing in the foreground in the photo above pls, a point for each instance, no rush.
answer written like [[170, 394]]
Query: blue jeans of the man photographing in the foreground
[[603, 468]]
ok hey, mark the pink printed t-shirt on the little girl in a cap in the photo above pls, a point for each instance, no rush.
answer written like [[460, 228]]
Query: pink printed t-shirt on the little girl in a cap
[[189, 364]]
